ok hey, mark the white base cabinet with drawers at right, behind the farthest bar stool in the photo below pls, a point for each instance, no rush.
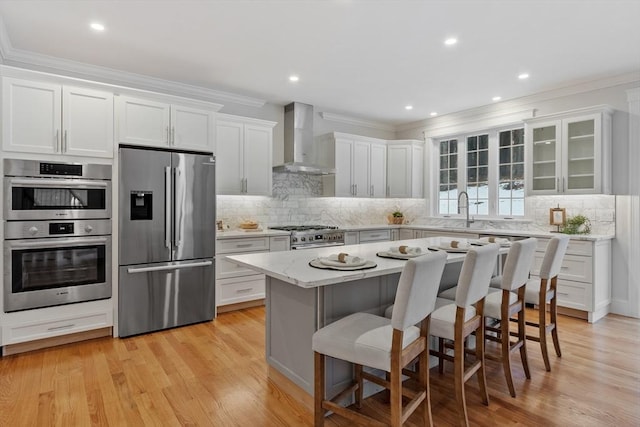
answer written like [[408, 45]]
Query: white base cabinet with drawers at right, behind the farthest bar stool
[[584, 281]]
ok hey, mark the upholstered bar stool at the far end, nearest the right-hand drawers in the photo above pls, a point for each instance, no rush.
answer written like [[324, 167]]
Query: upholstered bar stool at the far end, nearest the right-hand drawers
[[543, 290]]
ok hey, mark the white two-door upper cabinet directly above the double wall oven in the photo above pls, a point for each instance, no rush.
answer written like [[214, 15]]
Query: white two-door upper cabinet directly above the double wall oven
[[49, 118]]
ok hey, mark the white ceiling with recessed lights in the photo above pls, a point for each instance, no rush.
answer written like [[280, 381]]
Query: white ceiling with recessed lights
[[366, 59]]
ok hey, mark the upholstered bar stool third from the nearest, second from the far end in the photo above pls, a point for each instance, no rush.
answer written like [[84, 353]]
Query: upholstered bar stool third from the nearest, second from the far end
[[510, 301]]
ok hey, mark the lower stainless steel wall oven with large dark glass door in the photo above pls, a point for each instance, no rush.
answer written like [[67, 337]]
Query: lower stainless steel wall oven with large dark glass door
[[49, 263]]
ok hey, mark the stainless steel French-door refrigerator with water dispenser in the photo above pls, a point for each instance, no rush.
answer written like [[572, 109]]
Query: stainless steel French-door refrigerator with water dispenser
[[167, 239]]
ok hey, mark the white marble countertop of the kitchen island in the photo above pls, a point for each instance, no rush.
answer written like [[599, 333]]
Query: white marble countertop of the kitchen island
[[293, 266]]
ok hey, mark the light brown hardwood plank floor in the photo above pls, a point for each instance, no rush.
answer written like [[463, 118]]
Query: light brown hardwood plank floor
[[214, 374]]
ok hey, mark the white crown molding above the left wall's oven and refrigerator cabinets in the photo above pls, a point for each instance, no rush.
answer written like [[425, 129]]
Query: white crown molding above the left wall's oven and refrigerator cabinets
[[44, 63]]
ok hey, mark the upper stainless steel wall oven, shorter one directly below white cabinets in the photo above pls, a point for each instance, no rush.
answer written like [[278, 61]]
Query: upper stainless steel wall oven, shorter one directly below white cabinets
[[35, 190]]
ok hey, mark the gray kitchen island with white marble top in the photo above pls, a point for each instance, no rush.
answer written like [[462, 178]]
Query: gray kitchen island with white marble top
[[300, 299]]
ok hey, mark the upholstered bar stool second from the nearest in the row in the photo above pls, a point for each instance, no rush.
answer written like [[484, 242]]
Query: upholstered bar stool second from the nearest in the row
[[455, 321]]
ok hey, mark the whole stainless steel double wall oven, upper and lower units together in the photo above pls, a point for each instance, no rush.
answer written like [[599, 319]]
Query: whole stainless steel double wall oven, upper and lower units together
[[57, 230]]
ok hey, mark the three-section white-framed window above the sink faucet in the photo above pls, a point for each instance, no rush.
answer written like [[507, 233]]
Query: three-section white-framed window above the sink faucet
[[489, 166]]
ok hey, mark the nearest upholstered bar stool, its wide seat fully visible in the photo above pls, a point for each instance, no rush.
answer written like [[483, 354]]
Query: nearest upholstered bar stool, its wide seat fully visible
[[385, 344]]
